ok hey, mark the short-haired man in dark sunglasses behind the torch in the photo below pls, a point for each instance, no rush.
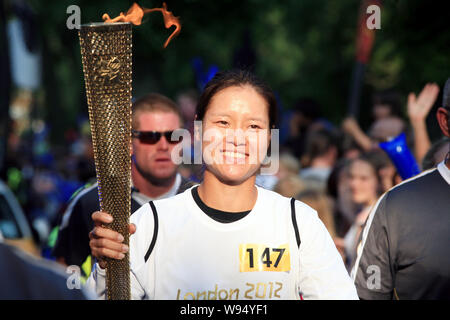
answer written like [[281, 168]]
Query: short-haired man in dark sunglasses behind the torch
[[154, 176]]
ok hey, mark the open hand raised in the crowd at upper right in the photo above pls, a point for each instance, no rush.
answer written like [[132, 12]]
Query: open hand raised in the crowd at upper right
[[420, 106]]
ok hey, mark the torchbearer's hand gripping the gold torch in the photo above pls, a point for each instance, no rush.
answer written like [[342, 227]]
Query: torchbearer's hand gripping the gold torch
[[106, 243]]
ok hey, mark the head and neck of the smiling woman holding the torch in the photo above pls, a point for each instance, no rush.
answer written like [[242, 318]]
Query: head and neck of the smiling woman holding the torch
[[237, 111]]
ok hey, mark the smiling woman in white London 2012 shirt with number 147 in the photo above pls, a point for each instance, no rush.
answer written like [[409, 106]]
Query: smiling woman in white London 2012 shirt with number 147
[[227, 238]]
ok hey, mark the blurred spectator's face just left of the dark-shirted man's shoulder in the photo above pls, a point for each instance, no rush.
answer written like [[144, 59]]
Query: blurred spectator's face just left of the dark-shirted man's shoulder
[[363, 182]]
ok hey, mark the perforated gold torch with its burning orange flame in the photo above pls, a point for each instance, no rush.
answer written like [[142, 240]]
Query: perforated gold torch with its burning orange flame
[[106, 50]]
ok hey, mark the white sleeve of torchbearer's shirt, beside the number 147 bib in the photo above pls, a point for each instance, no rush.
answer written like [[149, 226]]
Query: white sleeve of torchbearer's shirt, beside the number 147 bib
[[322, 271]]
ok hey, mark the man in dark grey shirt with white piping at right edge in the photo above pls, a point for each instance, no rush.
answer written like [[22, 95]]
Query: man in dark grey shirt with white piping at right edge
[[404, 248]]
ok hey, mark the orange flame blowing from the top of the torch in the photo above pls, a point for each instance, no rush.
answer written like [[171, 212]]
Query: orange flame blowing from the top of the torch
[[136, 13]]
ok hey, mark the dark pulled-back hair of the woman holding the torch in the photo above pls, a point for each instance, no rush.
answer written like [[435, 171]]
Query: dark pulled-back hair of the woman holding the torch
[[236, 77]]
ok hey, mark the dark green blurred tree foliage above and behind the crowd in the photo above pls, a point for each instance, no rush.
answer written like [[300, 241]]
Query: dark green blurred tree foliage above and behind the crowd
[[302, 48]]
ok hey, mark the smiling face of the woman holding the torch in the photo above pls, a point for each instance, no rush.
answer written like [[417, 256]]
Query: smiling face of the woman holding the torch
[[235, 133]]
